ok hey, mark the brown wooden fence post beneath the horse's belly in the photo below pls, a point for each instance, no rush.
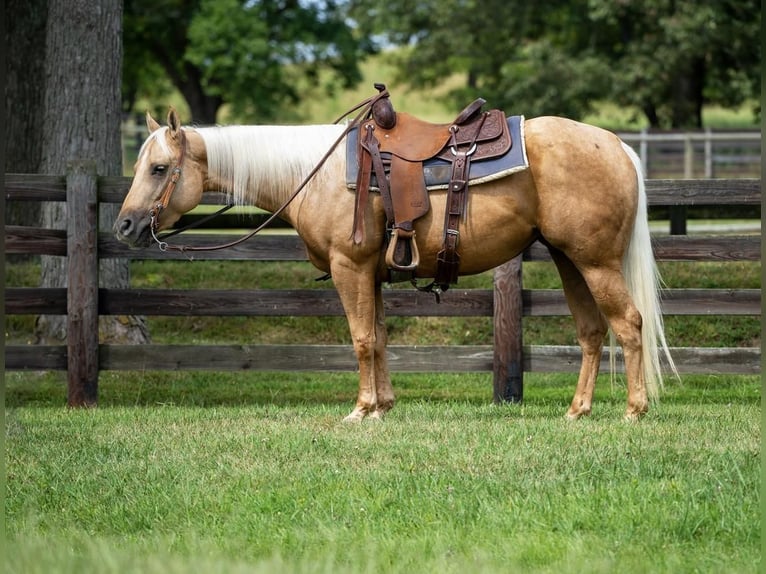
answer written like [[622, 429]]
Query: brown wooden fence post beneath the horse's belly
[[508, 366]]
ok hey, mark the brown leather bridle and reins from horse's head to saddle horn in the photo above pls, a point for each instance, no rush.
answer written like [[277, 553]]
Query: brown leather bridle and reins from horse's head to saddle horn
[[365, 108]]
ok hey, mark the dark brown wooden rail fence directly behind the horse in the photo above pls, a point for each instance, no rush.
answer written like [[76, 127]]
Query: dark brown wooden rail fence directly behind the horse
[[83, 357]]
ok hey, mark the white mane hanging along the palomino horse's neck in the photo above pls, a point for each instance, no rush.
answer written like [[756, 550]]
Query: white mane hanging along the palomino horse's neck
[[271, 159]]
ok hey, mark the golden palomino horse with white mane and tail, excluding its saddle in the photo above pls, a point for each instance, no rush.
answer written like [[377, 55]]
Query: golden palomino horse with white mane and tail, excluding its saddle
[[582, 196]]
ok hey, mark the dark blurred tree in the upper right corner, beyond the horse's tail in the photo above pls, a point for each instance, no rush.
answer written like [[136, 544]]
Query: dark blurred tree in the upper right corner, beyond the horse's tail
[[671, 57]]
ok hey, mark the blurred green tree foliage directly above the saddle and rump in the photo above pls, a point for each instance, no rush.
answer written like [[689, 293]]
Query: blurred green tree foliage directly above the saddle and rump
[[511, 52]]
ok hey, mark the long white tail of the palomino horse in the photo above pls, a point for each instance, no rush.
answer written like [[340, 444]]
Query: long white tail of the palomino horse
[[644, 284]]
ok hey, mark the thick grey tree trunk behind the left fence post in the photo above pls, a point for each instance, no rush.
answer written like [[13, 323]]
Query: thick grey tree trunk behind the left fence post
[[82, 120]]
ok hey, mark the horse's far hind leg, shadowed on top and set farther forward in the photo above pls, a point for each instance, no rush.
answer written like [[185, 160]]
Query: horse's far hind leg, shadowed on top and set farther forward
[[591, 330]]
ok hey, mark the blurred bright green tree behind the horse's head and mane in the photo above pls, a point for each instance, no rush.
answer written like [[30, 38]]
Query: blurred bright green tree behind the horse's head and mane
[[260, 57]]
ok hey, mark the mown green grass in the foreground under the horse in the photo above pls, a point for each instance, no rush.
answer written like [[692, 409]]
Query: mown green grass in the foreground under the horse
[[170, 475]]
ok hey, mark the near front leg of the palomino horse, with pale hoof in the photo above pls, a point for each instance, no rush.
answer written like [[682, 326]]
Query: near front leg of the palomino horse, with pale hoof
[[356, 287]]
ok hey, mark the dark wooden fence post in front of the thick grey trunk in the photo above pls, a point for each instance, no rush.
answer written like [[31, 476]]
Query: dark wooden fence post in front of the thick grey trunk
[[82, 284]]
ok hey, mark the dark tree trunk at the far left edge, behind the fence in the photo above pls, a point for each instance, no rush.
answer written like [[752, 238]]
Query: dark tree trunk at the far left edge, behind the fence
[[24, 98]]
